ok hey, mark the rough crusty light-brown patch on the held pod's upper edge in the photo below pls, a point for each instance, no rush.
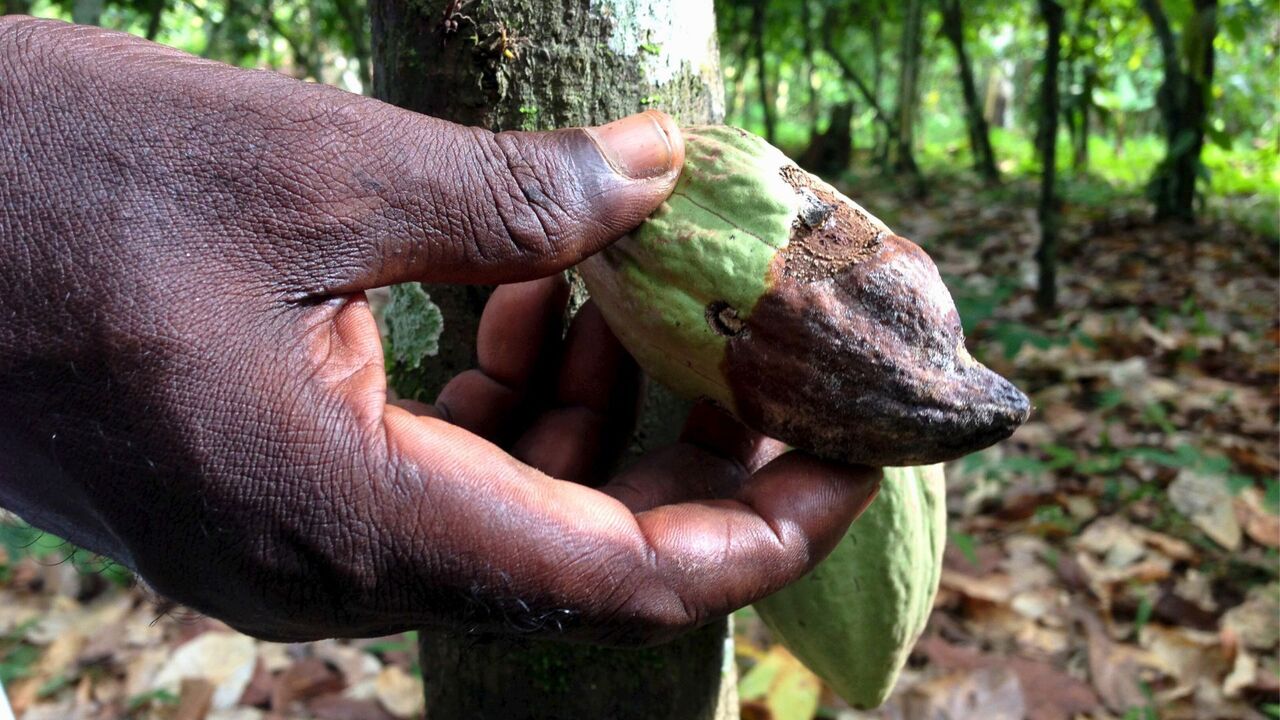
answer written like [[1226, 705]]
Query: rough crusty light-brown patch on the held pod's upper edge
[[829, 234]]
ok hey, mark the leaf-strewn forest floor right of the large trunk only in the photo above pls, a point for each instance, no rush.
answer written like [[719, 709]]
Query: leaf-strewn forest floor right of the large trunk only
[[1118, 557]]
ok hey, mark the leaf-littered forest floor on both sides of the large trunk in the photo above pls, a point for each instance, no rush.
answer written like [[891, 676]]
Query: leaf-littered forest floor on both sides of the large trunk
[[1117, 558]]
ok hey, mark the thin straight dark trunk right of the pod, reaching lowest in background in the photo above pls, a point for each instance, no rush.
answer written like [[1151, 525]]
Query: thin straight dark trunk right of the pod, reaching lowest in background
[[1046, 140]]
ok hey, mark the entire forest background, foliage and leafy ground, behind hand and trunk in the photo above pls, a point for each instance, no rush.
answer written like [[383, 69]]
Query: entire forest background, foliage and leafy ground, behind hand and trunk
[[1099, 181]]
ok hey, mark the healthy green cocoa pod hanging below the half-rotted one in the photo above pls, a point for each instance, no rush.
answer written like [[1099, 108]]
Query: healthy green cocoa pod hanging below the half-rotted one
[[854, 619]]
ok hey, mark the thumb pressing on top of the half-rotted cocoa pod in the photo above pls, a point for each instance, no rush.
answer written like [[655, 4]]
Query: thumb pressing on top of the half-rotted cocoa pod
[[465, 206]]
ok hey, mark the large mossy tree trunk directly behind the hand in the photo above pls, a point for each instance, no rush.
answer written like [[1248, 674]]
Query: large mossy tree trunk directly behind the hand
[[536, 65]]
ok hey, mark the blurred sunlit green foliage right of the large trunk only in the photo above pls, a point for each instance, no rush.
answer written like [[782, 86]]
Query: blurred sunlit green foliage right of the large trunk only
[[1112, 67]]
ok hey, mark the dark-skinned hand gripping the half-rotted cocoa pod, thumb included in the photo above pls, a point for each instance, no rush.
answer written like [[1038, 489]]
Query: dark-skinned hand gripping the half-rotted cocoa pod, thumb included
[[191, 380]]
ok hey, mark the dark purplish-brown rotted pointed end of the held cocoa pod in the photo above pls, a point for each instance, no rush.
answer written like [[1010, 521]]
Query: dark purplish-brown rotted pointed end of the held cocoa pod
[[868, 367]]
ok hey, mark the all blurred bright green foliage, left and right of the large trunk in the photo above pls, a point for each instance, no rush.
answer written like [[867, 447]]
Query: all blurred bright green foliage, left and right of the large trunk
[[1112, 70]]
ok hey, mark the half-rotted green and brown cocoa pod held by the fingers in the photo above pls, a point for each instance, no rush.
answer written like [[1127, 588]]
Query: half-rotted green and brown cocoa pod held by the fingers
[[765, 290]]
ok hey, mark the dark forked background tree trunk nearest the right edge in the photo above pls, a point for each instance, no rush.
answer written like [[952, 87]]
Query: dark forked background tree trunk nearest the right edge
[[1183, 101]]
